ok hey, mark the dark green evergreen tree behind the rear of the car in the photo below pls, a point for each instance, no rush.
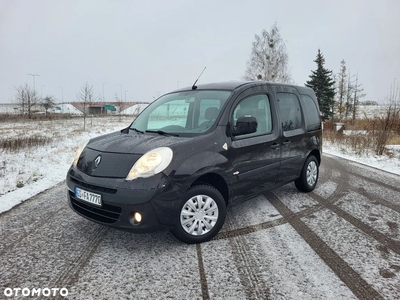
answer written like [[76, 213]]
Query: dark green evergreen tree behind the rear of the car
[[323, 84]]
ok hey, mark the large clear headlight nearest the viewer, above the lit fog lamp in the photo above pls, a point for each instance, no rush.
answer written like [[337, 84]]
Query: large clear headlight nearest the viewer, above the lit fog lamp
[[151, 163]]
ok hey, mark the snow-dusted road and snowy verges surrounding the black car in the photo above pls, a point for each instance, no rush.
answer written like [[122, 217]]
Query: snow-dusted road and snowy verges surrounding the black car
[[341, 241]]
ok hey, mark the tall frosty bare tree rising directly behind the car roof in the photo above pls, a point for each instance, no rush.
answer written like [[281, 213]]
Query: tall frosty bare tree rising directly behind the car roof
[[268, 60]]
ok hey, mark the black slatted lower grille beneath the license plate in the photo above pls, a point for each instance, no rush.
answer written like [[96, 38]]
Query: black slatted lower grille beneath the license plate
[[105, 214]]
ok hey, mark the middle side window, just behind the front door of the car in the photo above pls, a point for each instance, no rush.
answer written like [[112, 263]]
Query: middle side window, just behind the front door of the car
[[289, 109]]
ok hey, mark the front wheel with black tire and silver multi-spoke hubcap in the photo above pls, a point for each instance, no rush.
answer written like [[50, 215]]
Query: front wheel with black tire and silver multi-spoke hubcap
[[201, 215]]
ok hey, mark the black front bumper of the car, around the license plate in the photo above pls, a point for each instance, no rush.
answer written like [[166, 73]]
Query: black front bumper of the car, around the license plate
[[156, 198]]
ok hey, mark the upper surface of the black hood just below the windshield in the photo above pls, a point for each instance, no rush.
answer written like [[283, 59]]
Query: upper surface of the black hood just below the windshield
[[131, 143]]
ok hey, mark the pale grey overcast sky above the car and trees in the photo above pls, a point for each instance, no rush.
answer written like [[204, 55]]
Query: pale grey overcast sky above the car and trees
[[151, 47]]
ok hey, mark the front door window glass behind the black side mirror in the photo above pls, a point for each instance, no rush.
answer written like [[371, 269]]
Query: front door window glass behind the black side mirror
[[257, 106]]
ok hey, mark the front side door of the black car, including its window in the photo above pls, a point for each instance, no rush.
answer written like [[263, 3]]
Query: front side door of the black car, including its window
[[255, 157]]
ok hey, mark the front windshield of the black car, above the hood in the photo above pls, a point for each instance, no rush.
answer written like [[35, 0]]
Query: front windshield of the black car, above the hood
[[182, 113]]
